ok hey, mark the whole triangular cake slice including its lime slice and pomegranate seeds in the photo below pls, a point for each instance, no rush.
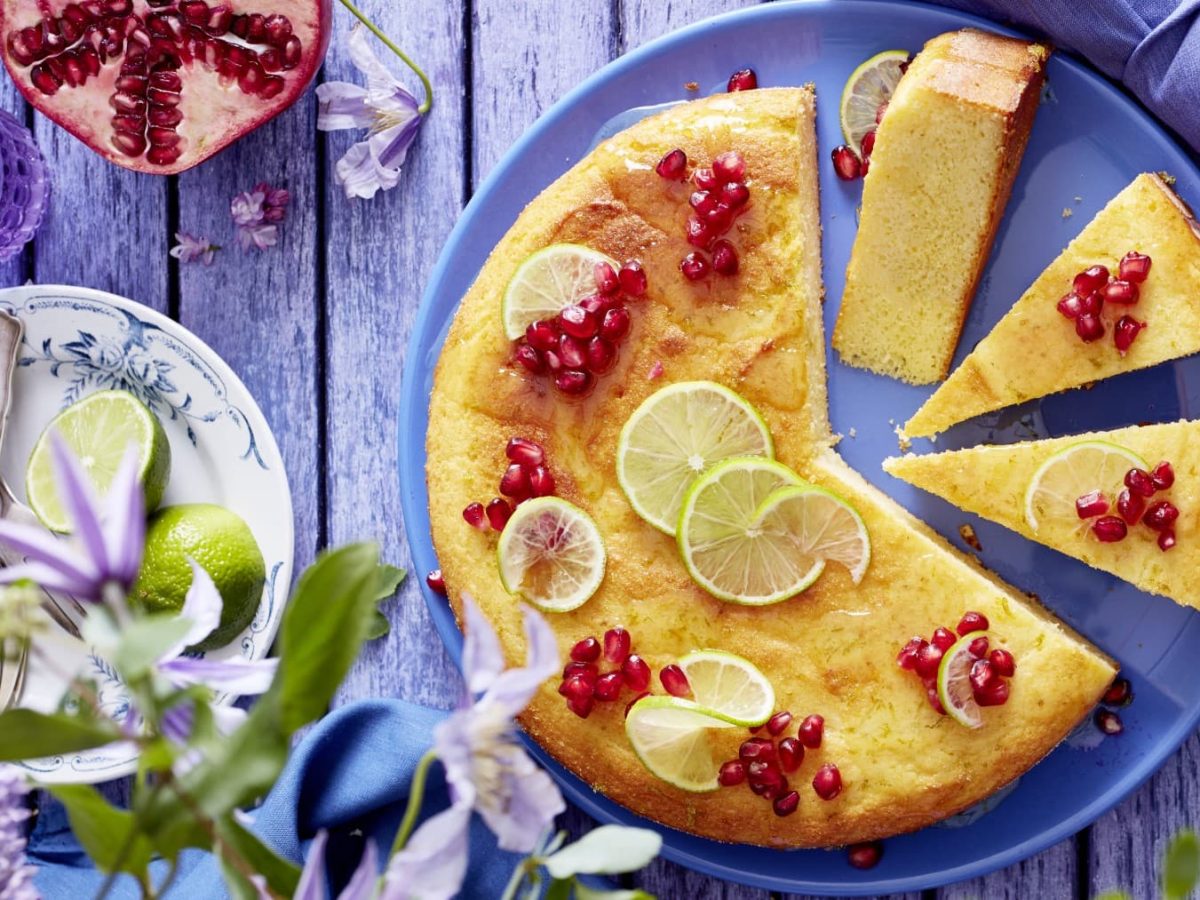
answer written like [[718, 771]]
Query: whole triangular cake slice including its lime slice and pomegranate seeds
[[1124, 501]]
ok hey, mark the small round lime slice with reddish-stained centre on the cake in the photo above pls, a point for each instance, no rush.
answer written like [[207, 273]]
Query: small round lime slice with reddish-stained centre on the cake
[[551, 555]]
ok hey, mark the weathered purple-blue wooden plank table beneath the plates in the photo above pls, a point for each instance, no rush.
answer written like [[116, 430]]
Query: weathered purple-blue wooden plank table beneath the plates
[[317, 329]]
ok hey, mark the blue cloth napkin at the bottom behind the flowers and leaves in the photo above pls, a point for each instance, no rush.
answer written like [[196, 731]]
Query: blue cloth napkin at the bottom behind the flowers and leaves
[[351, 773]]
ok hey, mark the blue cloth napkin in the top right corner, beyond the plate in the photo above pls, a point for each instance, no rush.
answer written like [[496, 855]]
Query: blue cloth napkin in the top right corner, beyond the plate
[[1153, 47]]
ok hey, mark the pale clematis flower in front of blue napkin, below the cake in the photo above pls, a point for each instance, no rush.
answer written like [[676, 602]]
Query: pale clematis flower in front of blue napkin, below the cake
[[487, 767]]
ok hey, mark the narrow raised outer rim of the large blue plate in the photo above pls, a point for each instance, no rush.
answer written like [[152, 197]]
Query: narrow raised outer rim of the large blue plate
[[415, 499]]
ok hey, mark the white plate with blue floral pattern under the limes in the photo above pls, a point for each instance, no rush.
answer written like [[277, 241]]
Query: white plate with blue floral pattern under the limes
[[79, 341]]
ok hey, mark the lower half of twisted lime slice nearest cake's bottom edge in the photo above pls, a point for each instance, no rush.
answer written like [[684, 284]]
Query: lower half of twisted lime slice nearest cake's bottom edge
[[671, 737]]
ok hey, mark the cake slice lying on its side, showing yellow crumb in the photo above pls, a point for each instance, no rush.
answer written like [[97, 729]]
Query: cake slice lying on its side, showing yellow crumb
[[944, 165]]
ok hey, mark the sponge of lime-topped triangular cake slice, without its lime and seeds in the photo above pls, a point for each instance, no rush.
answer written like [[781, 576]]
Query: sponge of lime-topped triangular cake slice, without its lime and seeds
[[992, 482]]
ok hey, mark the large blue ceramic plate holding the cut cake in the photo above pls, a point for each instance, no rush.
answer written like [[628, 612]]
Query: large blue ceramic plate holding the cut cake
[[1072, 167]]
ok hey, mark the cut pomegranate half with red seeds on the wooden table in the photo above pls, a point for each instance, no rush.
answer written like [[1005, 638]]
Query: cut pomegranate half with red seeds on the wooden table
[[159, 86]]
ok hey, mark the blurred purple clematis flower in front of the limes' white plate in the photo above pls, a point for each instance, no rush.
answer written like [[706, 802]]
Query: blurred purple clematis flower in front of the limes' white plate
[[101, 559]]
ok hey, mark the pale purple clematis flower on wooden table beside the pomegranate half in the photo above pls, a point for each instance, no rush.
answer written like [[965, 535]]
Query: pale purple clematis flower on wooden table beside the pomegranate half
[[391, 112]]
